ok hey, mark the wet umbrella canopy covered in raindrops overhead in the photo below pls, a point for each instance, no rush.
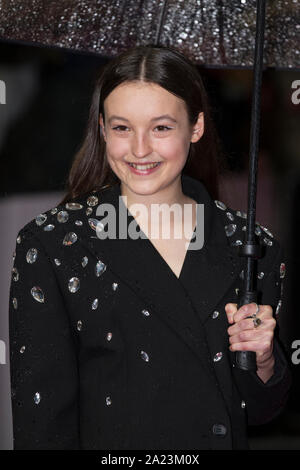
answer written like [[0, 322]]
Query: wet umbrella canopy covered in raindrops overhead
[[213, 33]]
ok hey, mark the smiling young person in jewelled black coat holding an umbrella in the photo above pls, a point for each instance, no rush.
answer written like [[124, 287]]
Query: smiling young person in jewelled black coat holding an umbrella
[[122, 332]]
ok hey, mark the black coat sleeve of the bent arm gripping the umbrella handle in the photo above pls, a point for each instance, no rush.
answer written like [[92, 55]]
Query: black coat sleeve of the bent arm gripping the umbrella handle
[[265, 401]]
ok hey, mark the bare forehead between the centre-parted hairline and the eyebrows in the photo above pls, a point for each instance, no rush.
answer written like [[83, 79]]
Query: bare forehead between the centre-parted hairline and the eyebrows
[[147, 99]]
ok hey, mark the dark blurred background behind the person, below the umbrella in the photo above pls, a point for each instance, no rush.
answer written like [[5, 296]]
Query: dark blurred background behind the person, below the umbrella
[[43, 114]]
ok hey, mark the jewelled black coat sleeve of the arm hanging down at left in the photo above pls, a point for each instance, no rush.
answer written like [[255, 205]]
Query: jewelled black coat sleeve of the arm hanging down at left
[[43, 359]]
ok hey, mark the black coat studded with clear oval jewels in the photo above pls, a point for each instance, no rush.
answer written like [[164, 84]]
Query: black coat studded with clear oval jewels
[[139, 371]]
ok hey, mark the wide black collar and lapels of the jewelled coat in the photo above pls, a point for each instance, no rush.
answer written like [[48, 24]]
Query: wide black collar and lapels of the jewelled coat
[[139, 265]]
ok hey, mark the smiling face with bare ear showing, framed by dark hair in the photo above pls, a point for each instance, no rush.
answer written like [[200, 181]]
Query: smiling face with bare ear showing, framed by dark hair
[[136, 132]]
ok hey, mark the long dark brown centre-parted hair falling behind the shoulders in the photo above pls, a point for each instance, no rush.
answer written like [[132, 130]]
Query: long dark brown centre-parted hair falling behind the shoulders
[[171, 70]]
